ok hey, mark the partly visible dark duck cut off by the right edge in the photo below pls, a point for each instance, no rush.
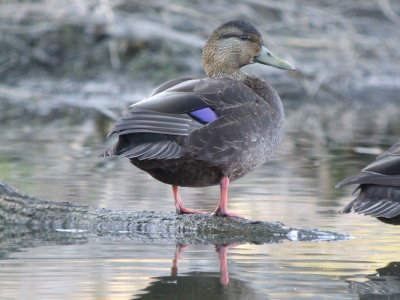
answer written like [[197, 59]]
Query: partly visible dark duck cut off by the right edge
[[378, 186]]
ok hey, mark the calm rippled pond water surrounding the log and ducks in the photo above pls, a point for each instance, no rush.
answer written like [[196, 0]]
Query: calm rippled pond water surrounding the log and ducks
[[58, 161]]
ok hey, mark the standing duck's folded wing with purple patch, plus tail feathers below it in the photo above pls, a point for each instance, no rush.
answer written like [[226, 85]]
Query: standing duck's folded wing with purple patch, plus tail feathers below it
[[151, 130]]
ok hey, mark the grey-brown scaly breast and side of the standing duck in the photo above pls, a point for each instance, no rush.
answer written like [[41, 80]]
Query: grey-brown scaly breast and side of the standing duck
[[247, 132]]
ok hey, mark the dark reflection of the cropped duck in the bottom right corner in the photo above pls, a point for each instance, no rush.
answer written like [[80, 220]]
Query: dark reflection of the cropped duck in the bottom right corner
[[384, 284]]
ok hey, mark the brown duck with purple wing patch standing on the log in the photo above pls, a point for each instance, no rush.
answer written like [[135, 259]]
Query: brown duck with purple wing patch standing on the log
[[198, 132]]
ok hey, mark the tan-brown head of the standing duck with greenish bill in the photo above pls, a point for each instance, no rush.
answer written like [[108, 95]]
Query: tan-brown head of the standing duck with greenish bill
[[233, 45]]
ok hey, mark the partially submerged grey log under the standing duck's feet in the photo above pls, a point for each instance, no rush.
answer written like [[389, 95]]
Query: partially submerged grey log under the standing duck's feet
[[30, 214]]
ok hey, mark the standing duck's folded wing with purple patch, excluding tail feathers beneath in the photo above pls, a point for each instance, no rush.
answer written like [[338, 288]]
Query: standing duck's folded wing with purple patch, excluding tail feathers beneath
[[184, 107]]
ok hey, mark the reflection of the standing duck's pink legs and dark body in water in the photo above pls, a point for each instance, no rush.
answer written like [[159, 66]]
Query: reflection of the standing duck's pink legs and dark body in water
[[199, 285]]
